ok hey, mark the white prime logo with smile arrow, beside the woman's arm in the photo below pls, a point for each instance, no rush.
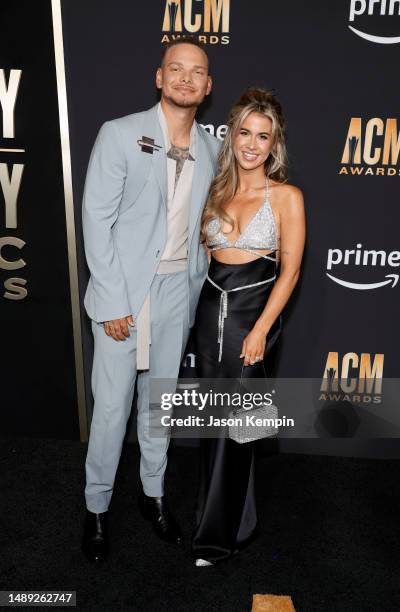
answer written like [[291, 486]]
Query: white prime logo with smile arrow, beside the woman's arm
[[345, 266]]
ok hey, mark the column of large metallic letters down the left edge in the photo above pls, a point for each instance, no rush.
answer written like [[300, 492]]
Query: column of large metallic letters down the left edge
[[10, 183]]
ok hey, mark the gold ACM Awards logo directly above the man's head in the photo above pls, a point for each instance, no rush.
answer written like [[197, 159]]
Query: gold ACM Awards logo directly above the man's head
[[209, 19]]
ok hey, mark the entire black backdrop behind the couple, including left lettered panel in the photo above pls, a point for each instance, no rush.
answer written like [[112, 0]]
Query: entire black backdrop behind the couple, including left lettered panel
[[332, 65]]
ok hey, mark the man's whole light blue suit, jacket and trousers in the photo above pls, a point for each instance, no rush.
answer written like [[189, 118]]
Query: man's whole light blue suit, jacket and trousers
[[125, 231]]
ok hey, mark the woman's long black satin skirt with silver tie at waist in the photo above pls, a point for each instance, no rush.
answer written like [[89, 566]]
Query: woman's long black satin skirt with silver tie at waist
[[226, 515]]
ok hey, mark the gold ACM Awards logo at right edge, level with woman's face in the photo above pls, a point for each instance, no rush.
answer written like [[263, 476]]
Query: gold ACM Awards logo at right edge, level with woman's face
[[371, 147]]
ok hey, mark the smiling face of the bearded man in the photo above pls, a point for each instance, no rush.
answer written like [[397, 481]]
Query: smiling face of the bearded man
[[183, 77]]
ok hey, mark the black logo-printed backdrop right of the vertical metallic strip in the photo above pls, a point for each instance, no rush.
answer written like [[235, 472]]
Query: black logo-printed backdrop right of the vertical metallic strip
[[329, 79]]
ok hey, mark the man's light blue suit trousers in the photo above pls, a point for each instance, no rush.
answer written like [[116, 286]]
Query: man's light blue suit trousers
[[113, 381]]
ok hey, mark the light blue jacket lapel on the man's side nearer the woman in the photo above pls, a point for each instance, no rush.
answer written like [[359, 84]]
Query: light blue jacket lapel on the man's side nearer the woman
[[202, 177]]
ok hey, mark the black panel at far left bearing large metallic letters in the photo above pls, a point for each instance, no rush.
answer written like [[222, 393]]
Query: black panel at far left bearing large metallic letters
[[38, 389]]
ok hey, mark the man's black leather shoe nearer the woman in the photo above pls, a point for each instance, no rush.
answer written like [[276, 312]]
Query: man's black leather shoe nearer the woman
[[155, 509]]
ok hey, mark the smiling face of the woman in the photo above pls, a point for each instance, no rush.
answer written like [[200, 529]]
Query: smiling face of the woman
[[253, 142]]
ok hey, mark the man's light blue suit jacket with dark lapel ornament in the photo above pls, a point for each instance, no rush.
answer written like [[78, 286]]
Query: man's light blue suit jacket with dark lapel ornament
[[125, 215]]
